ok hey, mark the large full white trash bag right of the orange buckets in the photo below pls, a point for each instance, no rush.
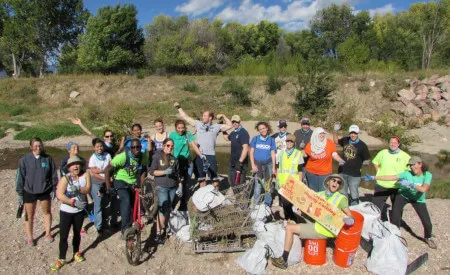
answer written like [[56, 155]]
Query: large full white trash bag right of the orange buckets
[[390, 253]]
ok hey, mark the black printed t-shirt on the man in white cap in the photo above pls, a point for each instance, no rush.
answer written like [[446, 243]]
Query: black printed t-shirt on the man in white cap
[[354, 155]]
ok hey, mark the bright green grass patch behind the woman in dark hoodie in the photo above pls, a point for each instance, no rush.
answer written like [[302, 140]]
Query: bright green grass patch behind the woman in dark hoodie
[[49, 132]]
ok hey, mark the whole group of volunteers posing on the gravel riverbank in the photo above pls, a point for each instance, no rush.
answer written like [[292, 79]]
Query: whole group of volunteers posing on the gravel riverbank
[[114, 171]]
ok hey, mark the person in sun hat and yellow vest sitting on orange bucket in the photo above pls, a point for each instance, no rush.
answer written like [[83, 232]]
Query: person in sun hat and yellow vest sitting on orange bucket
[[332, 184]]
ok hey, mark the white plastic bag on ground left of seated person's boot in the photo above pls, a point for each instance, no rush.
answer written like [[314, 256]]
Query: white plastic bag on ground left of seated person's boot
[[254, 260]]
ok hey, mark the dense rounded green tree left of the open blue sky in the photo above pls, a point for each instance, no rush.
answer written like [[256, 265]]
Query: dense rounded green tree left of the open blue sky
[[113, 42]]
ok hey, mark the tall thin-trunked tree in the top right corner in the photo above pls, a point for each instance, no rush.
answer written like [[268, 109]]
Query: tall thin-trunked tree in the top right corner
[[434, 20]]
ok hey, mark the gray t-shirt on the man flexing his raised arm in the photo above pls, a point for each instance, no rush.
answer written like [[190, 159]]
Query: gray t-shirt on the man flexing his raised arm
[[206, 137]]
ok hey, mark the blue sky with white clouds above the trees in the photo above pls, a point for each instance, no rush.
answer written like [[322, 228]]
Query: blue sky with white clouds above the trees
[[291, 15]]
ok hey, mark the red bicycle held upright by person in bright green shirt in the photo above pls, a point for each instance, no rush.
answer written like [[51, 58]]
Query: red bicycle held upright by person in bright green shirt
[[133, 238]]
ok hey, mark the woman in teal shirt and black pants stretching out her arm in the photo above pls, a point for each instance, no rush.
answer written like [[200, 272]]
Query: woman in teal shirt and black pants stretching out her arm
[[413, 187]]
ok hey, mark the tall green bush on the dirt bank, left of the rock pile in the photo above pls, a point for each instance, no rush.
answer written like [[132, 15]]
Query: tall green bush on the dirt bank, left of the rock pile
[[315, 86]]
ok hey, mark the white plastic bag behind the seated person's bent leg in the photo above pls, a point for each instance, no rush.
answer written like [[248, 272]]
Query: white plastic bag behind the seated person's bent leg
[[274, 237]]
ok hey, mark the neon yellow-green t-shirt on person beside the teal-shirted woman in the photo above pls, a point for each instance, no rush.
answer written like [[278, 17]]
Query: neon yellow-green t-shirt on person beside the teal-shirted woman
[[390, 164]]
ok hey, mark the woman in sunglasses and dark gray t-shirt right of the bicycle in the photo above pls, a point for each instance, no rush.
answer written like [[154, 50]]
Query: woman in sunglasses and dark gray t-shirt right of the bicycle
[[164, 168]]
